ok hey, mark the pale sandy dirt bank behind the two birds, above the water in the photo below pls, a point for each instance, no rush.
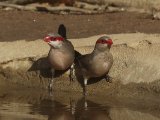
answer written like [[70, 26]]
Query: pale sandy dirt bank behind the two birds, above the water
[[135, 70]]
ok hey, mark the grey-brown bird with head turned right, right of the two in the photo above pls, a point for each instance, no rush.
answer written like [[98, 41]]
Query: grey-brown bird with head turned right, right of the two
[[98, 62]]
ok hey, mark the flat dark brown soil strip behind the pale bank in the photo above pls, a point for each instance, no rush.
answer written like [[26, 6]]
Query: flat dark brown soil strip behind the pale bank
[[17, 25]]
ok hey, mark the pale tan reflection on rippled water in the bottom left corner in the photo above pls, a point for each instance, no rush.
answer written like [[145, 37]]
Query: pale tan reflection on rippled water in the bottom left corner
[[18, 111]]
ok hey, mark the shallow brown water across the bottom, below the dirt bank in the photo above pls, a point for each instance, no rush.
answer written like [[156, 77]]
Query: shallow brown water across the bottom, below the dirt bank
[[39, 105]]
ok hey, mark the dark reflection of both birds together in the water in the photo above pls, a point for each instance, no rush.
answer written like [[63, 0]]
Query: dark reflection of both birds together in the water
[[83, 110]]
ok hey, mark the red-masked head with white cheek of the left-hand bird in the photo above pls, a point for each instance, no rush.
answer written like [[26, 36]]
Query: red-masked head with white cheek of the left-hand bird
[[54, 40]]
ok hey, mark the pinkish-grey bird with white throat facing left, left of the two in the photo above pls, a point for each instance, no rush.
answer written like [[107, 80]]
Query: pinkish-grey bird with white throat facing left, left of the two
[[61, 54]]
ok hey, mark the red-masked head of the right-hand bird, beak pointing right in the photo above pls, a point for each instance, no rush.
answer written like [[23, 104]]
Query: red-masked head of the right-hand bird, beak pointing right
[[104, 43]]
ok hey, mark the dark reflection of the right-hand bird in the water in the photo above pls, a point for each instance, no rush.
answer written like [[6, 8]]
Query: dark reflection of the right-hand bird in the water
[[87, 110]]
